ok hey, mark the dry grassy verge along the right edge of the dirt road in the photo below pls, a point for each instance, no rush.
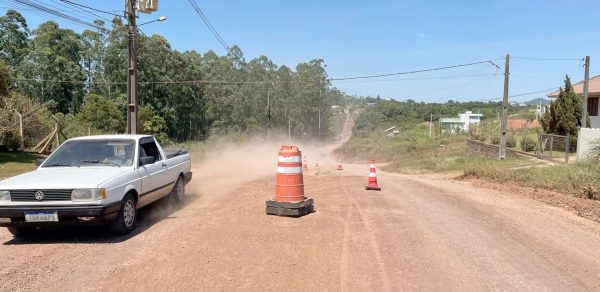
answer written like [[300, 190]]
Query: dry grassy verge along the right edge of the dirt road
[[412, 152]]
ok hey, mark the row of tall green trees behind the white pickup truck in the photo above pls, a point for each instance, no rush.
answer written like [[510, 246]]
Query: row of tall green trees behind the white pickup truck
[[51, 75]]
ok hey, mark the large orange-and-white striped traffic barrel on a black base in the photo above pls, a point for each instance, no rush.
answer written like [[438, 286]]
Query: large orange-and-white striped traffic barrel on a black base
[[289, 191]]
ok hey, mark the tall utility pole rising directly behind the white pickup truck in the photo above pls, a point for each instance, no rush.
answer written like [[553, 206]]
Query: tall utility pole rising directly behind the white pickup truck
[[132, 98]]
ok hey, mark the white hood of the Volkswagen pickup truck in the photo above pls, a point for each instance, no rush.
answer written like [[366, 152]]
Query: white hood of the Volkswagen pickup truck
[[62, 178]]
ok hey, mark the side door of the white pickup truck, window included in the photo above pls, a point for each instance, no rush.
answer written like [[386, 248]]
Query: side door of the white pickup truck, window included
[[155, 183]]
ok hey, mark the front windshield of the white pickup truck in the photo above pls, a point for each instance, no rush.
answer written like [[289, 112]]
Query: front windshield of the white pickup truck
[[109, 153]]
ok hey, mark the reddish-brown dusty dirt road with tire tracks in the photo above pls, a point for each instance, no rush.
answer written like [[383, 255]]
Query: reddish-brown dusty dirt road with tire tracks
[[416, 234]]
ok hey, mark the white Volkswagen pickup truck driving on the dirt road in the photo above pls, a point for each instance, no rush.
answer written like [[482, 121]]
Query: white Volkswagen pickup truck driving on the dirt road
[[94, 180]]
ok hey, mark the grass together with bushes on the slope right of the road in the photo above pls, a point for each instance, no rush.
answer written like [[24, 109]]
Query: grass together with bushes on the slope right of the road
[[412, 151]]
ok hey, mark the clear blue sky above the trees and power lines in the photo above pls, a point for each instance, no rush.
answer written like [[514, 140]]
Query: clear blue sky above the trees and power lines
[[361, 38]]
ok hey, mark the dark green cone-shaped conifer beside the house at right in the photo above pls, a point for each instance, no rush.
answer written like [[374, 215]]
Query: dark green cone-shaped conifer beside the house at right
[[564, 116]]
